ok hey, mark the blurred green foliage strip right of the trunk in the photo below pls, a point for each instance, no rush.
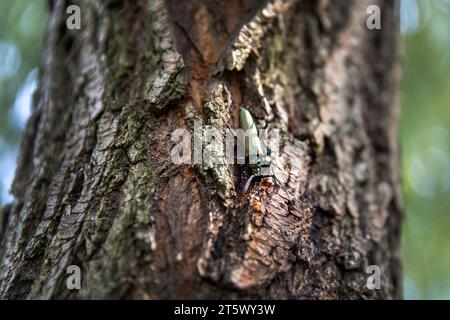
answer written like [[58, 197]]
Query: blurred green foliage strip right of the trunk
[[425, 140]]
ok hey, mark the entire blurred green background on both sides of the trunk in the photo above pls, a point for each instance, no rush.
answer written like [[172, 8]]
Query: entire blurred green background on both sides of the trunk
[[425, 126]]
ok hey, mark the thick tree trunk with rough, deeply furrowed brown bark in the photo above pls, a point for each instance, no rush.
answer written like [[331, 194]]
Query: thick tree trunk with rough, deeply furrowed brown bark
[[95, 185]]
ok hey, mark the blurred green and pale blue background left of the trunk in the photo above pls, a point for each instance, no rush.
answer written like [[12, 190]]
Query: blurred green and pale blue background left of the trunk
[[22, 29]]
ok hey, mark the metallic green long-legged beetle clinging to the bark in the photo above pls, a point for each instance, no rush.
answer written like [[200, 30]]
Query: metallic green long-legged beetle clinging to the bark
[[254, 150]]
